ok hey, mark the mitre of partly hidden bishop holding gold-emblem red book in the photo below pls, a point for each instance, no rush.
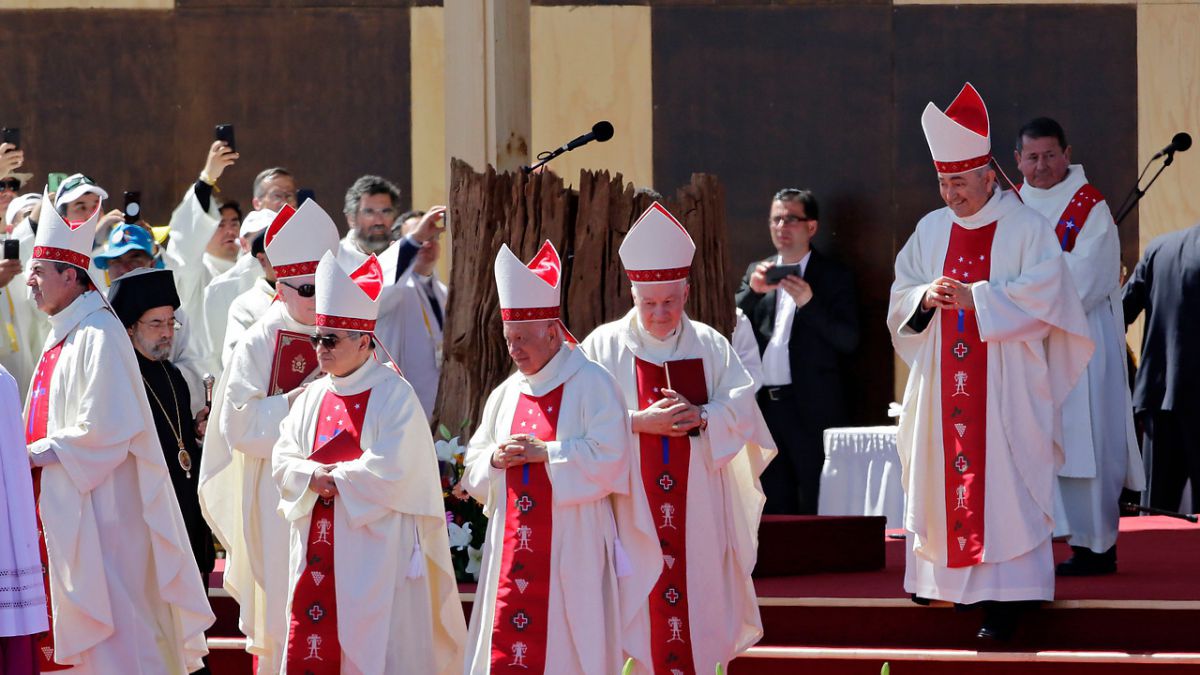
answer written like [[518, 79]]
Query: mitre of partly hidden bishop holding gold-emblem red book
[[298, 238]]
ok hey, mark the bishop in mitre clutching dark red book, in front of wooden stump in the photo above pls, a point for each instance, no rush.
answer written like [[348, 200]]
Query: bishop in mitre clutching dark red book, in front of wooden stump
[[693, 417]]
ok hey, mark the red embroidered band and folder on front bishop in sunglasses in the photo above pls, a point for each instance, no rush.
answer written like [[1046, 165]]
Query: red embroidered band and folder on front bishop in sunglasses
[[314, 648]]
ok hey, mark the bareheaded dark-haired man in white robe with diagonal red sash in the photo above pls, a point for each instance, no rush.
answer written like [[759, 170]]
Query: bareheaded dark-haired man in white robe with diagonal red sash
[[1102, 455]]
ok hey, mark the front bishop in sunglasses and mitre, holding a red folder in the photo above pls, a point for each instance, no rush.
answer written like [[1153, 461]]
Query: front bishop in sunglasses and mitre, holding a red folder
[[373, 584]]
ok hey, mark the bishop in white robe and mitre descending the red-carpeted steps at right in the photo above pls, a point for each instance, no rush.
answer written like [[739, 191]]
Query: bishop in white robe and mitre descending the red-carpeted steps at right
[[985, 313]]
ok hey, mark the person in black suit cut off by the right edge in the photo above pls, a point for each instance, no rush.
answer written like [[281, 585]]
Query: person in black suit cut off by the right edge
[[1167, 396]]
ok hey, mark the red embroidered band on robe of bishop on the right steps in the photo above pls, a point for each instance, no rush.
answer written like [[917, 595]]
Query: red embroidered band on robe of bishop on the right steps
[[964, 366]]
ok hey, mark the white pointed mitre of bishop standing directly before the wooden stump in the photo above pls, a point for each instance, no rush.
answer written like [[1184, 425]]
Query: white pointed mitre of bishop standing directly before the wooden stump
[[658, 249]]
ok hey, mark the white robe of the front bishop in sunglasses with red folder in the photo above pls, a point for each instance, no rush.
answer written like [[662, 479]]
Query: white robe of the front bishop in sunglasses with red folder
[[398, 601]]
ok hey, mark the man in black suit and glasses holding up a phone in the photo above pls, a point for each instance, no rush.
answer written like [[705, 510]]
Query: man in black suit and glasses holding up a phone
[[806, 324]]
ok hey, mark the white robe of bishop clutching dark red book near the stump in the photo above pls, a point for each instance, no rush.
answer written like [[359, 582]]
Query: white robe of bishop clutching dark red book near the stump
[[725, 499]]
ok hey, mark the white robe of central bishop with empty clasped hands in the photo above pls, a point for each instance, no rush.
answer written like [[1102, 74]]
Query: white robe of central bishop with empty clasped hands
[[593, 606]]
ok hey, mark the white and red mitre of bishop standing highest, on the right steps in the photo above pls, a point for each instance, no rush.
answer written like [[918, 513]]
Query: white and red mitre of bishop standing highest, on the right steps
[[961, 139]]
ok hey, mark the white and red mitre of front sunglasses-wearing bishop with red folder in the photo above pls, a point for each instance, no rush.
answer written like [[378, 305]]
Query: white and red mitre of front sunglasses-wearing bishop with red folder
[[349, 301]]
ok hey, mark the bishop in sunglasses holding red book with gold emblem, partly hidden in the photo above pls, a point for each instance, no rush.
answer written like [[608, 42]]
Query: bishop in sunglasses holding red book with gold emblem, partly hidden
[[269, 369]]
